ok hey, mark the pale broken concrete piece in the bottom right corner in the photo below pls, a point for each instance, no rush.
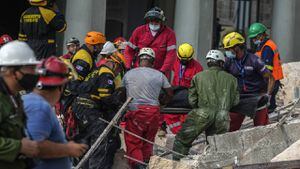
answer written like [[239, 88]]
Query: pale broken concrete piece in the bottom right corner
[[289, 154]]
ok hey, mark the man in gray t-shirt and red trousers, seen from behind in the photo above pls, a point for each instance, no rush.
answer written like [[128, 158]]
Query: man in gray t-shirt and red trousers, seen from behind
[[143, 84]]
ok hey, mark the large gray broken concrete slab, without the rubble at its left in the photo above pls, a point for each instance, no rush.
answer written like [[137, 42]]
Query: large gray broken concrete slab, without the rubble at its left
[[261, 143]]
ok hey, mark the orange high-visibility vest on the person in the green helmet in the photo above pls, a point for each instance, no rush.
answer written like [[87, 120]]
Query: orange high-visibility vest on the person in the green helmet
[[276, 68]]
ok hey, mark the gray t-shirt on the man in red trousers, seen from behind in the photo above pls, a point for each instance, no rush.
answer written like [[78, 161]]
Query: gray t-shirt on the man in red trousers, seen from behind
[[144, 84]]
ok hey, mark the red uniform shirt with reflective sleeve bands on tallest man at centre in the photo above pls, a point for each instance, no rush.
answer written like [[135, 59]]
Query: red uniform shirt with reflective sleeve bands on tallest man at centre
[[164, 47]]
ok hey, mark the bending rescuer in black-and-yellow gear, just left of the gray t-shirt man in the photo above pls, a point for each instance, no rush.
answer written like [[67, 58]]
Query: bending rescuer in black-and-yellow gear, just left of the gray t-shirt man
[[98, 99]]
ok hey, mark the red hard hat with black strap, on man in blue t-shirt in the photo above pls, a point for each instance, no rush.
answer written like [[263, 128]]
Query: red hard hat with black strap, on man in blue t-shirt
[[53, 72]]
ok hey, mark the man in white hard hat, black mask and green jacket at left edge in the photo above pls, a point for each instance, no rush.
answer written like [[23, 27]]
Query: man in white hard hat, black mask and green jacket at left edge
[[17, 72]]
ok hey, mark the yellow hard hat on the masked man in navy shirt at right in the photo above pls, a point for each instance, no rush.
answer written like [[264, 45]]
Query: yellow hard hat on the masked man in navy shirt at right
[[232, 39]]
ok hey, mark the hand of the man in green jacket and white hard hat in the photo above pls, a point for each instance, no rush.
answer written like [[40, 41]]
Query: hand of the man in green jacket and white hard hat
[[29, 148]]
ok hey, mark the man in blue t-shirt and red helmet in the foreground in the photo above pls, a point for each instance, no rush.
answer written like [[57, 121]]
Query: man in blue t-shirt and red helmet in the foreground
[[42, 123]]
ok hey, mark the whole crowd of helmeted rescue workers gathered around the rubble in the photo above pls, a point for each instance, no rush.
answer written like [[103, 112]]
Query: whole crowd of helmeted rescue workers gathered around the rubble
[[91, 82]]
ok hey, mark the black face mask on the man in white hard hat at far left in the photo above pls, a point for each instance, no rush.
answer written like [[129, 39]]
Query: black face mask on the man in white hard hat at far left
[[28, 81]]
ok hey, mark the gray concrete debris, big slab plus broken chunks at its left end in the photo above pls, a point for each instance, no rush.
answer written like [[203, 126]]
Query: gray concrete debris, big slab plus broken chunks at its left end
[[228, 149]]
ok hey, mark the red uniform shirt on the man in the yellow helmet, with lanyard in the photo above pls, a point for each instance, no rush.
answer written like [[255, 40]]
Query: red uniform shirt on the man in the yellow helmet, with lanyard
[[184, 75]]
